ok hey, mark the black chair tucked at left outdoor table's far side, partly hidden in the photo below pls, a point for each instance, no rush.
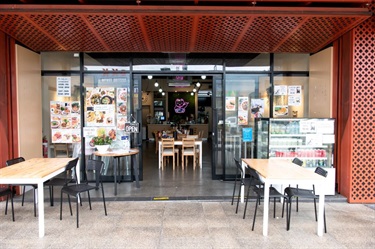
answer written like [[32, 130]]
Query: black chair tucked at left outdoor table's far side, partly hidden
[[61, 179]]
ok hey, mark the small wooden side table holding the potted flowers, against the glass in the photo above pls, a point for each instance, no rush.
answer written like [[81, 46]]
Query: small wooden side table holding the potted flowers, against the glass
[[116, 154]]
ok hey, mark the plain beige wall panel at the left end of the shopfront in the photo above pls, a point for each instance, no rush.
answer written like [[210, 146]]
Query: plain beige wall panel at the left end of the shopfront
[[29, 97]]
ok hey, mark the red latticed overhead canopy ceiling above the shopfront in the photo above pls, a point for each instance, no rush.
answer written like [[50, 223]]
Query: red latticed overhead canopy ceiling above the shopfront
[[180, 26]]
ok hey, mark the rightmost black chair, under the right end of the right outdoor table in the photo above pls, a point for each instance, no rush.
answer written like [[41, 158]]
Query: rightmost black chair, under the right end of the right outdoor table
[[296, 192]]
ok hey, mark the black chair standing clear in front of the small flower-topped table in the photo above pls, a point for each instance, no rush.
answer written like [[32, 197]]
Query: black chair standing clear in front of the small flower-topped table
[[93, 167]]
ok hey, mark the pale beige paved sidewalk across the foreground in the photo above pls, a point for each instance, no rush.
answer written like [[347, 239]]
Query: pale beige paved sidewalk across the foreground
[[186, 224]]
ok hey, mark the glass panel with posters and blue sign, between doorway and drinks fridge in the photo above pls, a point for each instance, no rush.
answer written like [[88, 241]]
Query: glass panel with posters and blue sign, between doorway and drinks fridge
[[247, 96]]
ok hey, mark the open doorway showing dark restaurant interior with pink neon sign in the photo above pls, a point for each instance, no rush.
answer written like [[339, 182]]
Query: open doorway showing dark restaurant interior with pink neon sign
[[162, 94]]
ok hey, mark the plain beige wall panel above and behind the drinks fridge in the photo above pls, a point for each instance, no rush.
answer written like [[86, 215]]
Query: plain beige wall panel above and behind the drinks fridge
[[320, 84]]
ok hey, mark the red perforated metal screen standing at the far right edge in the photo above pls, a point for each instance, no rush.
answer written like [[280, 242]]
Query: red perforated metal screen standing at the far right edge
[[363, 160]]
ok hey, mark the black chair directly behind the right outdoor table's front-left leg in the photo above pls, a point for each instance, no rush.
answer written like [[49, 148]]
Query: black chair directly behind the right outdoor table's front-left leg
[[259, 191]]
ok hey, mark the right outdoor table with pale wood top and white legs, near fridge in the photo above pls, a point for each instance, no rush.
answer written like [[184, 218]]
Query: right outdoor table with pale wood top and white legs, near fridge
[[283, 172]]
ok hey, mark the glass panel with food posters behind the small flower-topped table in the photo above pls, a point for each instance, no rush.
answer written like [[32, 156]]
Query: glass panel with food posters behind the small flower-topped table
[[107, 107]]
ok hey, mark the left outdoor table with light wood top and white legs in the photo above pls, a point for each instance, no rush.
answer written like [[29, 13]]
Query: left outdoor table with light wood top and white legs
[[34, 171]]
